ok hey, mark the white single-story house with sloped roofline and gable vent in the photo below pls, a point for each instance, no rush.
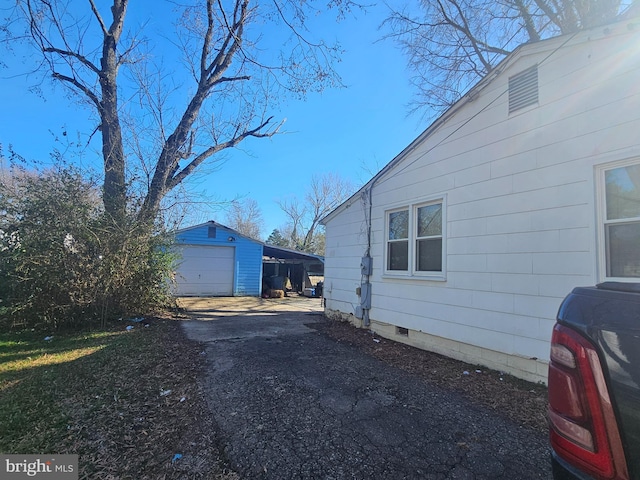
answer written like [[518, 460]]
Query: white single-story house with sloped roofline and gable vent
[[467, 241]]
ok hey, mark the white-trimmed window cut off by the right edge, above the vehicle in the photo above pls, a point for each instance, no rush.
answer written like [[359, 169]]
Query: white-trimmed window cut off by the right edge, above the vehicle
[[621, 218]]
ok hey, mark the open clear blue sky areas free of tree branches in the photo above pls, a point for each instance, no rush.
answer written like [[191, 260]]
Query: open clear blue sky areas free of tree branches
[[353, 131]]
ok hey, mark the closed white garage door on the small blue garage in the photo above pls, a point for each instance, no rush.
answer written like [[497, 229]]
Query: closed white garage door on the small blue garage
[[206, 271]]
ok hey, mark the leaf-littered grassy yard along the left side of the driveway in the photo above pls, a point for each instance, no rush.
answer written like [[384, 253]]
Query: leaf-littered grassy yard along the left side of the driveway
[[98, 394]]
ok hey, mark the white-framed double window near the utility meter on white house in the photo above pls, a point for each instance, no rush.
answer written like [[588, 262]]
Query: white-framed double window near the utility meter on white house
[[415, 240]]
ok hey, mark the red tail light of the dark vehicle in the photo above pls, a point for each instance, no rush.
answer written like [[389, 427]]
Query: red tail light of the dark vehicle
[[583, 429]]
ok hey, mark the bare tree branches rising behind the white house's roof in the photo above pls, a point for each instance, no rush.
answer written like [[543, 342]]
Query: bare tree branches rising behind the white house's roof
[[451, 44]]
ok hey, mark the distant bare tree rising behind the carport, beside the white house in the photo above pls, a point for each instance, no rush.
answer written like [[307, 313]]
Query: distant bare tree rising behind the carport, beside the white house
[[325, 193]]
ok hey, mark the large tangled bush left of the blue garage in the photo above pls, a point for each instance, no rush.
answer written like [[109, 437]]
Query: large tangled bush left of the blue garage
[[63, 262]]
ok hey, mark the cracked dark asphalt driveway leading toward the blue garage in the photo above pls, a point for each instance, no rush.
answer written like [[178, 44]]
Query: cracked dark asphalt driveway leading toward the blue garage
[[293, 404]]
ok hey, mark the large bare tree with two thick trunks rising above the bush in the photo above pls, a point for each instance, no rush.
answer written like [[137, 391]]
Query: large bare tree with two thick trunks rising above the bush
[[143, 110]]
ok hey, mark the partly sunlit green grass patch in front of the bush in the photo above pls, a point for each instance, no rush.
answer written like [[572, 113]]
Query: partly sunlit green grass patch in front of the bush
[[36, 375]]
